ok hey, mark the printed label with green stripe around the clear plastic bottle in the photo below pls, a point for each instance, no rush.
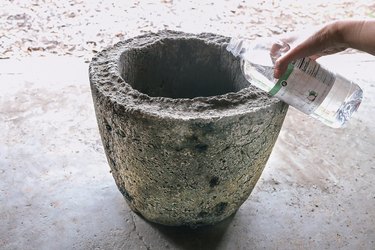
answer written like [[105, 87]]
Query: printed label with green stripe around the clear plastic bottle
[[304, 85]]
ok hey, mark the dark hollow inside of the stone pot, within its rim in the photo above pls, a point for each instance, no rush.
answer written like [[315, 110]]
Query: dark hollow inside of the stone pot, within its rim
[[181, 68]]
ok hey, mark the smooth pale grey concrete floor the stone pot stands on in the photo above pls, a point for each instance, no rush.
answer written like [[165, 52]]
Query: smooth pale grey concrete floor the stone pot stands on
[[56, 192]]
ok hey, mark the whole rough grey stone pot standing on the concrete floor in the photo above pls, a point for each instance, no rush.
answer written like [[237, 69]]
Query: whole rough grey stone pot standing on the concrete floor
[[185, 136]]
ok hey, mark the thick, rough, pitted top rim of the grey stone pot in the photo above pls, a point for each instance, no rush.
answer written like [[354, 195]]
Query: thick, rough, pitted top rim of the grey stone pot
[[106, 79]]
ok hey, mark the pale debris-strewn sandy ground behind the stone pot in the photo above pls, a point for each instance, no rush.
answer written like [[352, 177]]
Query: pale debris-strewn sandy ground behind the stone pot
[[80, 28]]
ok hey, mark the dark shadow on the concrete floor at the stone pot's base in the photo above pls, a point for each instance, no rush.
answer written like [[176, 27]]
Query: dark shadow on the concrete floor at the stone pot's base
[[206, 237]]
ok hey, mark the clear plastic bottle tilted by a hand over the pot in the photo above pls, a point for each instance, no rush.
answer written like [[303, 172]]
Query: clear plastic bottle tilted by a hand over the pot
[[306, 85]]
